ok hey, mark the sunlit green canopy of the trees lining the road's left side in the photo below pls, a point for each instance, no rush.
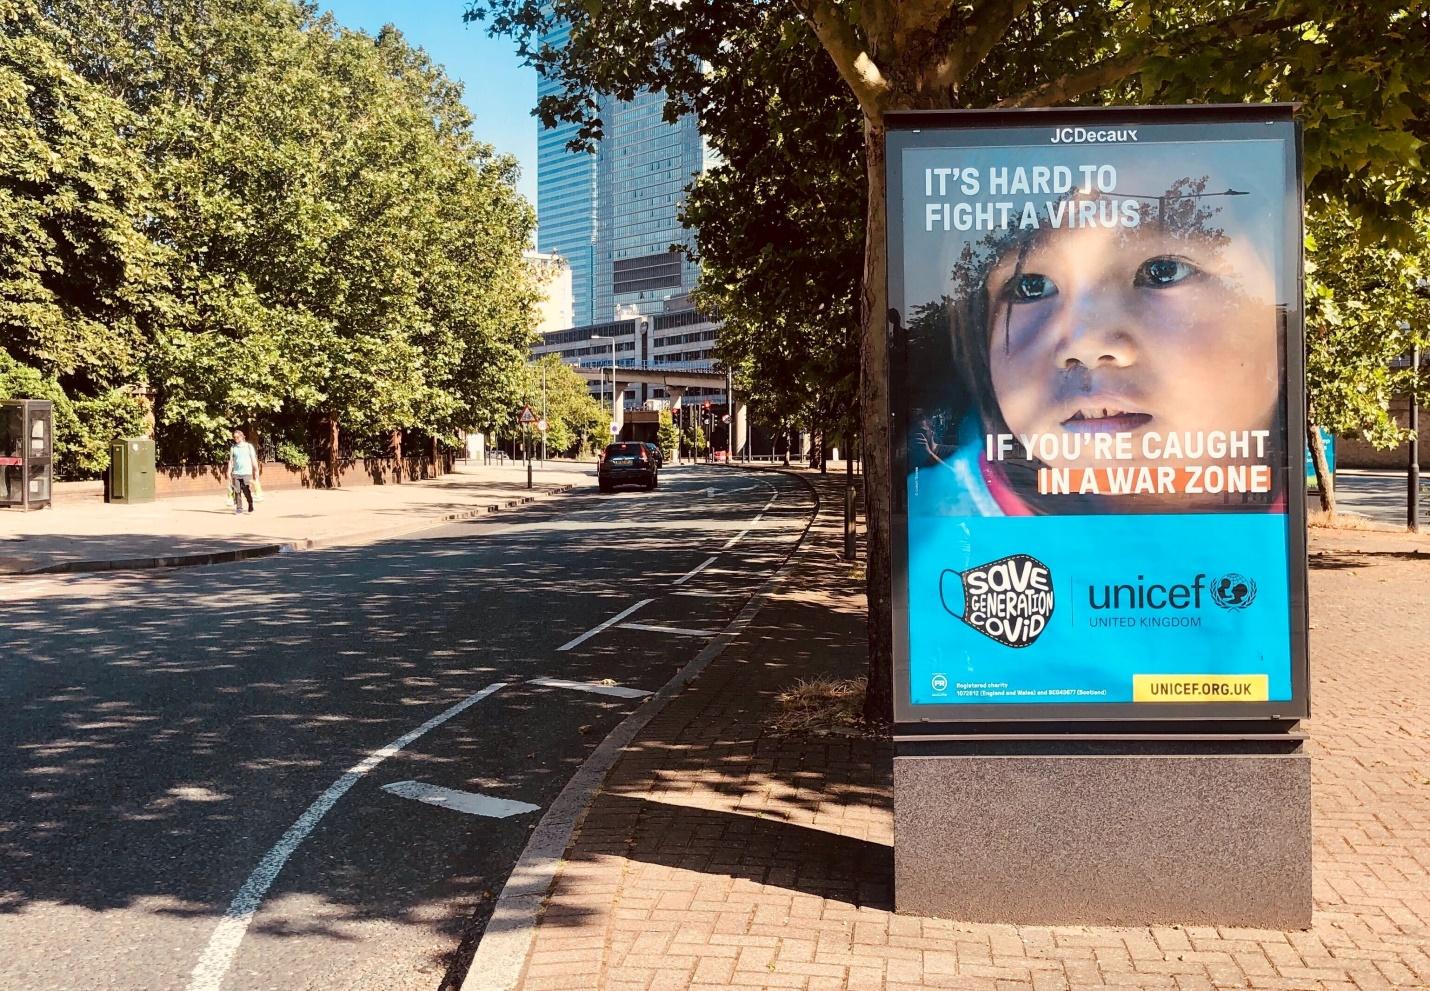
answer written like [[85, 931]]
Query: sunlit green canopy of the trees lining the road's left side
[[245, 214]]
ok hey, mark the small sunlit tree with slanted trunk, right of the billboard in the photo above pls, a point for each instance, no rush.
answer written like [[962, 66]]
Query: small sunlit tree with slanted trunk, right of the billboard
[[1365, 308]]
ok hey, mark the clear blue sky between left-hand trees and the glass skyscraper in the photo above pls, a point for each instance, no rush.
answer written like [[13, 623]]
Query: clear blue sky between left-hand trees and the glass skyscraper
[[500, 91]]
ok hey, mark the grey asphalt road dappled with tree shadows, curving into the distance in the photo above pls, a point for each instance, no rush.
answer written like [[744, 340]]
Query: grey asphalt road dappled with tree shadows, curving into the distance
[[212, 776]]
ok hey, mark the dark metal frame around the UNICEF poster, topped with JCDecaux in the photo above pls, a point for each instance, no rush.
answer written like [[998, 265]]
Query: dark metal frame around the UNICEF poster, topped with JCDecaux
[[1103, 720]]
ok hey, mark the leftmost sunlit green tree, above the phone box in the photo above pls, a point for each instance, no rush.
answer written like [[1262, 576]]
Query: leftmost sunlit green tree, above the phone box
[[75, 267]]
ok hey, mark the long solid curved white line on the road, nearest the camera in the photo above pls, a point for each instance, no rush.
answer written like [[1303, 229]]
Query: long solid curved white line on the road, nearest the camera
[[224, 945]]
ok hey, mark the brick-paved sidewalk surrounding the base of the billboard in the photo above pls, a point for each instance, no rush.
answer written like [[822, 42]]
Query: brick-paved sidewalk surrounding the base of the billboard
[[721, 857]]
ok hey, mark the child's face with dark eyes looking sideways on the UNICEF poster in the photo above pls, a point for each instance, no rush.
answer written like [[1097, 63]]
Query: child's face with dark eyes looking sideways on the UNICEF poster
[[1133, 331]]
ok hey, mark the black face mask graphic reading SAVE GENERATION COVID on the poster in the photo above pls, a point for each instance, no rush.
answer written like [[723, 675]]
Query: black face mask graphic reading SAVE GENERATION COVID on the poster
[[1009, 600]]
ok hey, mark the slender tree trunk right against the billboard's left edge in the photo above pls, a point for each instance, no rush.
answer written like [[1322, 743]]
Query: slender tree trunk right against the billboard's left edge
[[879, 703]]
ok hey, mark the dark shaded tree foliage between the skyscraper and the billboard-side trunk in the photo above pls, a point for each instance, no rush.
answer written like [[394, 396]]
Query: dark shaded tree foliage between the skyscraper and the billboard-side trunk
[[784, 271]]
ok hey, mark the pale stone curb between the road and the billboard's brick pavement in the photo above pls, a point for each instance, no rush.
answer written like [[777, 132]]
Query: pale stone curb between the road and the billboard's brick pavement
[[501, 955]]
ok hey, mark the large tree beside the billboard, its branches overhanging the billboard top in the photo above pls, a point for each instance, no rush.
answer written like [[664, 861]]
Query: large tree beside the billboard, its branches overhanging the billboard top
[[1358, 68]]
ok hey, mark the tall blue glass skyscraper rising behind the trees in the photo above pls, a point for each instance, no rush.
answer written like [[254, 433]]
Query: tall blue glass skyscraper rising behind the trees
[[614, 215]]
